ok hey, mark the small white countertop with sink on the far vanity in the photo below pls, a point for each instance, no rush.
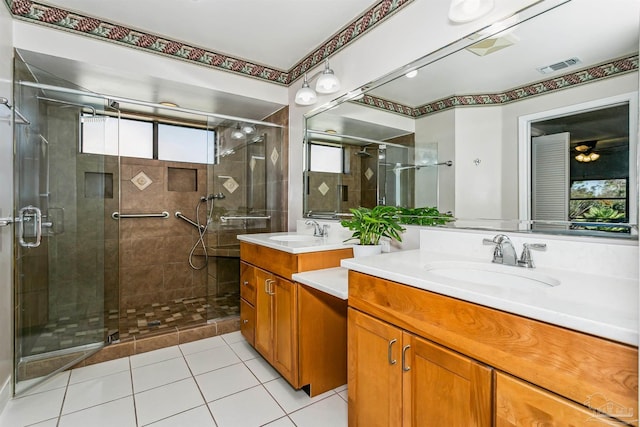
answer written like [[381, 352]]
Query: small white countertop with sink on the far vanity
[[311, 244]]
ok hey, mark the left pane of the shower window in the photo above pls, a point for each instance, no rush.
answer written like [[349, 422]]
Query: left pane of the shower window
[[99, 135]]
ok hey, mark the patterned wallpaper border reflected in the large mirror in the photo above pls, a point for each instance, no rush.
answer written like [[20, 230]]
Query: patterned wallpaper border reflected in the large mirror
[[587, 75]]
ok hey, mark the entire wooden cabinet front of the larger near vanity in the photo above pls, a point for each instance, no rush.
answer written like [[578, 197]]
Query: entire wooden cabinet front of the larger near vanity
[[489, 365]]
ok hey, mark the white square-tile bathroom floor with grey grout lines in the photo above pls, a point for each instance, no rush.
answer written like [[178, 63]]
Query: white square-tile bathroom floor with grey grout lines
[[215, 382]]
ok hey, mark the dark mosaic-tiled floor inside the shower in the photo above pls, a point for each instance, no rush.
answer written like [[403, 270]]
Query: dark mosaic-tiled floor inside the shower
[[67, 332]]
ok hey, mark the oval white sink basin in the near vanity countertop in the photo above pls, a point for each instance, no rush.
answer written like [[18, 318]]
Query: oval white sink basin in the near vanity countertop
[[490, 273]]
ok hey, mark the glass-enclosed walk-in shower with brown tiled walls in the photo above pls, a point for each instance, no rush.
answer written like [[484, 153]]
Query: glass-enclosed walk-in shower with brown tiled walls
[[129, 217]]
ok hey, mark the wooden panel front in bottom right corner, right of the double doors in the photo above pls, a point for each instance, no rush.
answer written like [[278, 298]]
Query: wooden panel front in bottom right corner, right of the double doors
[[521, 404]]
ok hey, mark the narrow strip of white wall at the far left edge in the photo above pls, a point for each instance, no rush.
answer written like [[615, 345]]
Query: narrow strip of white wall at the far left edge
[[6, 206]]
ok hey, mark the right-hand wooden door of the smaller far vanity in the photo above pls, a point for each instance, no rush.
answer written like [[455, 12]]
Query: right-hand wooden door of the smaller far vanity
[[285, 336]]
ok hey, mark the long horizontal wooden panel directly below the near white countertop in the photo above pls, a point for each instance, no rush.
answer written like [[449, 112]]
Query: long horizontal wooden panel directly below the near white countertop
[[569, 363]]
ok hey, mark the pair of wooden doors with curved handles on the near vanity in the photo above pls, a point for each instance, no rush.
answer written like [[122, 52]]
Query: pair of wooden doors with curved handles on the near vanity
[[399, 379]]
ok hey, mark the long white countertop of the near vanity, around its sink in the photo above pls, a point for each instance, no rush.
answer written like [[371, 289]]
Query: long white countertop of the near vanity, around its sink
[[604, 306]]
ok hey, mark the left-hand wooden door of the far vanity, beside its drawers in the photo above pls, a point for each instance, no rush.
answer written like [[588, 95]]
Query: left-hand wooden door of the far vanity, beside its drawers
[[264, 302]]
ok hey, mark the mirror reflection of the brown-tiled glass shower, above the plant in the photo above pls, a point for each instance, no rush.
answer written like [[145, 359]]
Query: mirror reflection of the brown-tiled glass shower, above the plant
[[346, 172]]
